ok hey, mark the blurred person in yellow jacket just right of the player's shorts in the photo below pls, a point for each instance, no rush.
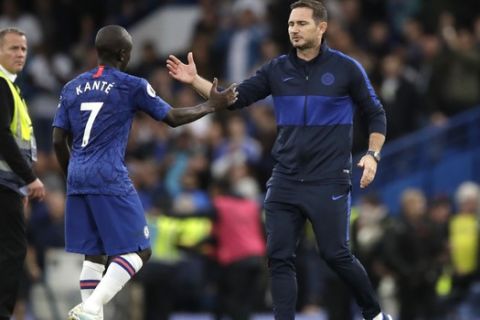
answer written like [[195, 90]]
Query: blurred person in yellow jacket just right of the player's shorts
[[174, 279]]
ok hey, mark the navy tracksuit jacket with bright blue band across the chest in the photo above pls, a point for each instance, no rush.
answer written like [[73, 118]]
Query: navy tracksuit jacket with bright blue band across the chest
[[314, 106]]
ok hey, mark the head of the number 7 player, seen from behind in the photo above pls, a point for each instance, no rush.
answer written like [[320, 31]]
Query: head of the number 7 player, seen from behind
[[113, 44]]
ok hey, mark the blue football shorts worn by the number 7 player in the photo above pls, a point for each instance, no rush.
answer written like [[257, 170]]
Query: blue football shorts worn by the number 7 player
[[105, 225]]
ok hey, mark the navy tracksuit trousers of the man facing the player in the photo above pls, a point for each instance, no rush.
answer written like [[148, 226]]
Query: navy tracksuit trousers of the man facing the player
[[288, 205]]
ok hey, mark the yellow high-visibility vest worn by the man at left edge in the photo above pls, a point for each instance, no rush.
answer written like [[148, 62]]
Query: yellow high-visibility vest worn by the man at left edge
[[22, 131]]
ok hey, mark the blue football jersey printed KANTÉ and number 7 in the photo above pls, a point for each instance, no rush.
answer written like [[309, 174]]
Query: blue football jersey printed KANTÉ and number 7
[[97, 108]]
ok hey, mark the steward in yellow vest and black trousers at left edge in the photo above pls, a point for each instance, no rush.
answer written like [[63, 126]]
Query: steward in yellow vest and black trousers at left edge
[[17, 152]]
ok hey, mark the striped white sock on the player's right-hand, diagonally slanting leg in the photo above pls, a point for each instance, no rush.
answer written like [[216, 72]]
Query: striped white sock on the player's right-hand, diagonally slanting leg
[[120, 270]]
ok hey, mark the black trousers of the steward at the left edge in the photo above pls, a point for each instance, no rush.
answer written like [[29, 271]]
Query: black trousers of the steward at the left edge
[[13, 247]]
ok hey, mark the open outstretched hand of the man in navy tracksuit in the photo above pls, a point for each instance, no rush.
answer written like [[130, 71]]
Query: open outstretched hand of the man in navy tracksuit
[[187, 73]]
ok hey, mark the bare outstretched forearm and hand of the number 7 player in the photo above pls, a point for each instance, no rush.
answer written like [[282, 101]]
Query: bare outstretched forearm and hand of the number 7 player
[[216, 101]]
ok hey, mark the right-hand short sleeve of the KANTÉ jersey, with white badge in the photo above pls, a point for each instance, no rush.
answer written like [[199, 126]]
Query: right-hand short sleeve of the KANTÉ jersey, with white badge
[[147, 101]]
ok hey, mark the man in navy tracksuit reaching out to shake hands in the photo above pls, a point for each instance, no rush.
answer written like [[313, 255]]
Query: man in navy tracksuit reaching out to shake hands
[[315, 91]]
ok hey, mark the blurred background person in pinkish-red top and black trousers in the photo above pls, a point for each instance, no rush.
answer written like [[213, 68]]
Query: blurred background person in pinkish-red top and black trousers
[[240, 251]]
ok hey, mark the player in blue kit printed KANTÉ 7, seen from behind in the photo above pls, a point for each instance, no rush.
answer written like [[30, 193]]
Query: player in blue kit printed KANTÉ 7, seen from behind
[[104, 216]]
